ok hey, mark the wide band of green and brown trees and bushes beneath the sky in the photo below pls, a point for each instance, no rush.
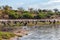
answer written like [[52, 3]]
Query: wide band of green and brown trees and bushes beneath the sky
[[7, 12]]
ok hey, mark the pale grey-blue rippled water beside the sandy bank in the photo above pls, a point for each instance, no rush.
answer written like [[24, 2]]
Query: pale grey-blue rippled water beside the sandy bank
[[47, 32]]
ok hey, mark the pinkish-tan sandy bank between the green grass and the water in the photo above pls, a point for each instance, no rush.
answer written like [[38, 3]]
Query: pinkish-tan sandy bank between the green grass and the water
[[19, 33]]
